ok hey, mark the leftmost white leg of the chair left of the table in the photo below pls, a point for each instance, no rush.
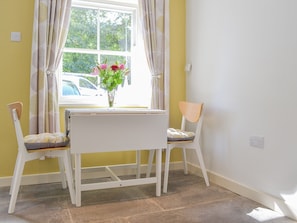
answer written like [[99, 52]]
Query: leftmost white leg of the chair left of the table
[[16, 183]]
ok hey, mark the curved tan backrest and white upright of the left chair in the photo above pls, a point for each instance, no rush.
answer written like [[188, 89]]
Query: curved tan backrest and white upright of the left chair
[[16, 109]]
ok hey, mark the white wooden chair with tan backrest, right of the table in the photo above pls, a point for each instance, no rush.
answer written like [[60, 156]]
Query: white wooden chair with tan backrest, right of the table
[[185, 139]]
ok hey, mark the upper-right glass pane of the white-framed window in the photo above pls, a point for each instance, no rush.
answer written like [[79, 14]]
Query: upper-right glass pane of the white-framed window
[[115, 30]]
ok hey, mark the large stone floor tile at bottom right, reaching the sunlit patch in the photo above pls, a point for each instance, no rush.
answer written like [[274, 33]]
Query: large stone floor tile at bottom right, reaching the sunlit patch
[[233, 210]]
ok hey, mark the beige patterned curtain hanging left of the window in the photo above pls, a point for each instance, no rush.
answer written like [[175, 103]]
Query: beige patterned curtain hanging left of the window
[[51, 21]]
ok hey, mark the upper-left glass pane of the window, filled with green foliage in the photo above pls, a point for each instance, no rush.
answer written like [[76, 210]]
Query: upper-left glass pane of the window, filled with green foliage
[[83, 29]]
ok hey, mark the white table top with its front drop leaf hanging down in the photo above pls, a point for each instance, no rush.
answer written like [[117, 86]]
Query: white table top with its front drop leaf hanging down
[[102, 130]]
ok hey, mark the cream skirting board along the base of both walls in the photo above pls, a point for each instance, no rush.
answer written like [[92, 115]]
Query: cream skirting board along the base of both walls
[[274, 203]]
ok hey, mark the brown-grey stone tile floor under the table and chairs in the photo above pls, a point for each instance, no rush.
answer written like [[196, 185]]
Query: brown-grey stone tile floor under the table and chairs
[[187, 200]]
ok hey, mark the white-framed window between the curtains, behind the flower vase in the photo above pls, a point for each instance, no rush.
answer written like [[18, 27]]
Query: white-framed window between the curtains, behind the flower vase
[[99, 31]]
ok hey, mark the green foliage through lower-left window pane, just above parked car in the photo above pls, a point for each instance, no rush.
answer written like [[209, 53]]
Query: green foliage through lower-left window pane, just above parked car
[[79, 63]]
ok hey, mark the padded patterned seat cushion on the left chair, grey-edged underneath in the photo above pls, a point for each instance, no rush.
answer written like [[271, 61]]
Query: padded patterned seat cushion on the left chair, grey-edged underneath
[[46, 140]]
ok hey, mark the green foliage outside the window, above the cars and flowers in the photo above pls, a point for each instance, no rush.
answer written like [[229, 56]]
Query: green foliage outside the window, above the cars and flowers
[[115, 35]]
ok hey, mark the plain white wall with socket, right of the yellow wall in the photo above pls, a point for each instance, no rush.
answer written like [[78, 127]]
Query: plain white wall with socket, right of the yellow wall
[[244, 67]]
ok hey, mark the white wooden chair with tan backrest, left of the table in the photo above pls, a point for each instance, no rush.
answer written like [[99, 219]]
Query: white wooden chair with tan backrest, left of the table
[[38, 150]]
